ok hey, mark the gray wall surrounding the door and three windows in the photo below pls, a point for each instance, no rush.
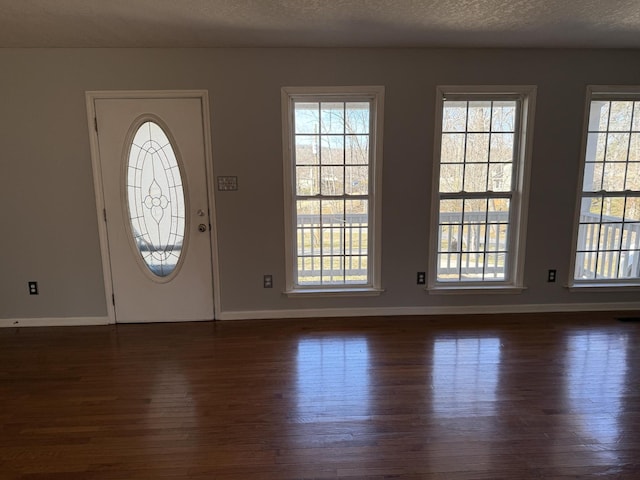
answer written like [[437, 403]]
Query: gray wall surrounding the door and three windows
[[47, 207]]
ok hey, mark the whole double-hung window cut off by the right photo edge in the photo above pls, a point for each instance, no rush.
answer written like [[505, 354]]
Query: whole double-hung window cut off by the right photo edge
[[607, 245]]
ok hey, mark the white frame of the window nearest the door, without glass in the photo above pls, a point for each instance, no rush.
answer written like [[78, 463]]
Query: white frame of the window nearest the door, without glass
[[374, 95]]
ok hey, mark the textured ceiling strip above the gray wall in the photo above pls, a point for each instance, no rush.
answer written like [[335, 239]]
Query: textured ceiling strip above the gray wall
[[320, 23]]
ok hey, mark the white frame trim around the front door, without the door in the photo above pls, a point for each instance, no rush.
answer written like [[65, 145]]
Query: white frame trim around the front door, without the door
[[203, 96]]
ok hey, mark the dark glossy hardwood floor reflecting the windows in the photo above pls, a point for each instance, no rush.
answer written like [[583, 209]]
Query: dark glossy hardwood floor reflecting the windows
[[469, 397]]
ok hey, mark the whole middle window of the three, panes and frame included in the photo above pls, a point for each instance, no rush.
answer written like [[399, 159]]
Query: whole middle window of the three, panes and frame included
[[482, 150]]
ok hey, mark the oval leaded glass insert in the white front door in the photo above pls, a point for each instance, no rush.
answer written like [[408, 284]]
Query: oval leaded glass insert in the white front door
[[156, 201]]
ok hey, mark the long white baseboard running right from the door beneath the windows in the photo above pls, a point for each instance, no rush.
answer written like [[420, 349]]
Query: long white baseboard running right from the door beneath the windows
[[426, 310]]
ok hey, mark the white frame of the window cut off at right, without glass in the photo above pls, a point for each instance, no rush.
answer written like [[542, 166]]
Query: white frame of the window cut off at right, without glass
[[606, 93]]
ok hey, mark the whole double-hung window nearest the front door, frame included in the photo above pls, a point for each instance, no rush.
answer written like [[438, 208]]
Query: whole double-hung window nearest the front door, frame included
[[332, 142]]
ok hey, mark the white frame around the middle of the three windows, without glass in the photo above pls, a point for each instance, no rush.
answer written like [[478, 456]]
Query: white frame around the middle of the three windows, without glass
[[514, 273]]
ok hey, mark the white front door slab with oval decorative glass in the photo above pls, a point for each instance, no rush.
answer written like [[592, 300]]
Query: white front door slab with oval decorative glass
[[152, 162]]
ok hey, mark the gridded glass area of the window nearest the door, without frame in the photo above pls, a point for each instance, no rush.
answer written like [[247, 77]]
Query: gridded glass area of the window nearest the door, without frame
[[333, 233]]
